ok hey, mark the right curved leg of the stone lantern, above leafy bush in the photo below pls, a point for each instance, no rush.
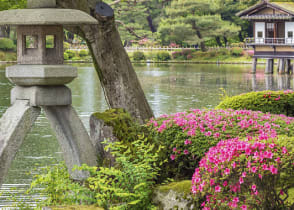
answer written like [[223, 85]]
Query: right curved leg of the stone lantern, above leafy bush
[[73, 138]]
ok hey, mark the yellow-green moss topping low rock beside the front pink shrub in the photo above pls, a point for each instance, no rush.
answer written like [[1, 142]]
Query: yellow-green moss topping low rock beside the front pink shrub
[[179, 187]]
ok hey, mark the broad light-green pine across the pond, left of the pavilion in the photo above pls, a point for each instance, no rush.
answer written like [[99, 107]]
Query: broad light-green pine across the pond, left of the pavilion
[[193, 22]]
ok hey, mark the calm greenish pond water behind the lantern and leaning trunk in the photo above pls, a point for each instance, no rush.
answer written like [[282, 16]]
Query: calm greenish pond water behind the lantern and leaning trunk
[[169, 88]]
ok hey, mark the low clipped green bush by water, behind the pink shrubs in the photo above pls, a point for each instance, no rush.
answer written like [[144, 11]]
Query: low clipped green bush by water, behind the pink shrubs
[[275, 102]]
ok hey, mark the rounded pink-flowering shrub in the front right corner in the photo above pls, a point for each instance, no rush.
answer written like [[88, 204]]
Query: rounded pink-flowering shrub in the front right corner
[[254, 173]]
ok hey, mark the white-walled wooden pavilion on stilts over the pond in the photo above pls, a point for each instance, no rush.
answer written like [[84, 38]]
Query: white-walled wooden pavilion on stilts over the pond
[[273, 33]]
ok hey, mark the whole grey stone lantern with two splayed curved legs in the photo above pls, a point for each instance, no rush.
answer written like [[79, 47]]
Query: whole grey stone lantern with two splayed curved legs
[[40, 79]]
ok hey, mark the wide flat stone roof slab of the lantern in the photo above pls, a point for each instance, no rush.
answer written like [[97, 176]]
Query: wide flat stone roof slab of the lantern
[[50, 16]]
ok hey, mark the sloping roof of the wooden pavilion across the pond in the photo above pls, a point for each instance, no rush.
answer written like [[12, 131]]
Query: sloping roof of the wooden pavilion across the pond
[[284, 11]]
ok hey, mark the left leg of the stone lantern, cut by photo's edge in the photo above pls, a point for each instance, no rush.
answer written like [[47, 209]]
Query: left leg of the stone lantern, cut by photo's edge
[[14, 126]]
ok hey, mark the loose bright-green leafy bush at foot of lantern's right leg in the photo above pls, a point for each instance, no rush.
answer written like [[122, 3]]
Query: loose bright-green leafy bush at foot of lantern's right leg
[[127, 186]]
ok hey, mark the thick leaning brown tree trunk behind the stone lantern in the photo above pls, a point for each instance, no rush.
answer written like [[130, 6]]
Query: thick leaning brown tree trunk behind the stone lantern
[[114, 68]]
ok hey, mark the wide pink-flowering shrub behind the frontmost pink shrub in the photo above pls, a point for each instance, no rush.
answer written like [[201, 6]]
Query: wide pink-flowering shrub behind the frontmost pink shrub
[[188, 135]]
